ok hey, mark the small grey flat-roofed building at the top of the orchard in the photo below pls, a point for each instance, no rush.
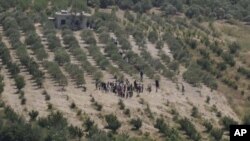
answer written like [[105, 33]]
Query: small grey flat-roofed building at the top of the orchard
[[73, 20]]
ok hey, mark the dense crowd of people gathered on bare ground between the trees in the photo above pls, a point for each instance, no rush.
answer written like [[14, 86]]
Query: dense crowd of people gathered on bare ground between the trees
[[124, 89]]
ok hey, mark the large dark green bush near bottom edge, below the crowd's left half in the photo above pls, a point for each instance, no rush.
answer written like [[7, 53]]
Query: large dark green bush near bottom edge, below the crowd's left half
[[113, 122]]
